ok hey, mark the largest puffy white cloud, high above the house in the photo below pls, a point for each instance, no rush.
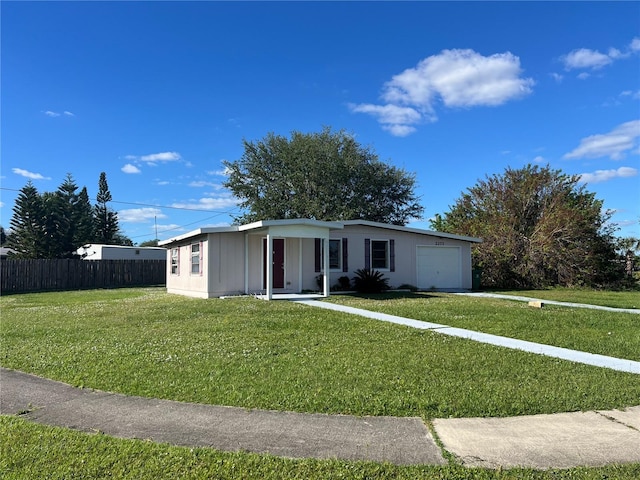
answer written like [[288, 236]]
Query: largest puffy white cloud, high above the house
[[456, 78]]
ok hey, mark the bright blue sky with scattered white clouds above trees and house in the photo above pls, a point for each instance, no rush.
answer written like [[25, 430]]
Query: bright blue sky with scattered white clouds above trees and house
[[158, 94]]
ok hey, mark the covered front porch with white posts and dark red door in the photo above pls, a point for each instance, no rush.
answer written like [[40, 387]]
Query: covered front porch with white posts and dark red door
[[281, 257]]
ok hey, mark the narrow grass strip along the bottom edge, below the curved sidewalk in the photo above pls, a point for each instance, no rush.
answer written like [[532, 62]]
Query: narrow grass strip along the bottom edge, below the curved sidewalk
[[31, 451]]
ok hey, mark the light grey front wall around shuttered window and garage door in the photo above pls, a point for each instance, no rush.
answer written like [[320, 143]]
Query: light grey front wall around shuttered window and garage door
[[405, 246]]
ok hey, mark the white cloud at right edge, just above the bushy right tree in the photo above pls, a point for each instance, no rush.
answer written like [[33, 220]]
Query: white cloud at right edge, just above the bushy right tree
[[614, 144]]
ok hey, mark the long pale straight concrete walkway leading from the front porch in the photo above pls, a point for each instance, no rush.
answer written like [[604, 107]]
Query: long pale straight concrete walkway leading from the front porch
[[621, 365]]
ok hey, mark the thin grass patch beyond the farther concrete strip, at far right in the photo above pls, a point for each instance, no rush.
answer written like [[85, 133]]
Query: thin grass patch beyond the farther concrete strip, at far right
[[605, 298]]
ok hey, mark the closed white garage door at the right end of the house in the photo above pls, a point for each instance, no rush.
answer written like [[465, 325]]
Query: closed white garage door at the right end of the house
[[438, 267]]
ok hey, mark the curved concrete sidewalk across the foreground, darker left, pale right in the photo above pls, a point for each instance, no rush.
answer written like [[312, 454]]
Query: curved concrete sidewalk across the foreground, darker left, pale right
[[539, 441]]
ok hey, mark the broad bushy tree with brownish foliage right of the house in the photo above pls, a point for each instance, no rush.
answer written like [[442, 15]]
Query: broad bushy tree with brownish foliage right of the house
[[539, 227]]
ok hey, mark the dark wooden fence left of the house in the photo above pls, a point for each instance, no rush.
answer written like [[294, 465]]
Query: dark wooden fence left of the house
[[21, 276]]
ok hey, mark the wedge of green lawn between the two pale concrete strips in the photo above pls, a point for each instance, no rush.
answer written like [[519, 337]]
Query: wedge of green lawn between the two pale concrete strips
[[615, 334]]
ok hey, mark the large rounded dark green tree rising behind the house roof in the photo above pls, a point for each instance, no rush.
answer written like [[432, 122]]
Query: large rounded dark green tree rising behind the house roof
[[323, 176]]
